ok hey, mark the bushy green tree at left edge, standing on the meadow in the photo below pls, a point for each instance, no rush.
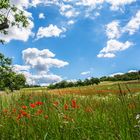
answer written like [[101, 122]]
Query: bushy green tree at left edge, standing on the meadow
[[8, 78]]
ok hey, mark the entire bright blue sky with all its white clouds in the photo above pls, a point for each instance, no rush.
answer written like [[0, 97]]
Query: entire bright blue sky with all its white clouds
[[75, 39]]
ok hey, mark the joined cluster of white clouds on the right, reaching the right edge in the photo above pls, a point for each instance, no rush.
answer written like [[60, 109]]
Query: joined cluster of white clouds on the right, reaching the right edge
[[114, 31]]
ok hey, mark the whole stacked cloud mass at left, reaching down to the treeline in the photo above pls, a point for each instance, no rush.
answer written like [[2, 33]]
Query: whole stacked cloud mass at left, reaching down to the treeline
[[37, 66]]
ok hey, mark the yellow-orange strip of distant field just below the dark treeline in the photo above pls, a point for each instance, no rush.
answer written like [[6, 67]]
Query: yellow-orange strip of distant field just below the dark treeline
[[103, 88]]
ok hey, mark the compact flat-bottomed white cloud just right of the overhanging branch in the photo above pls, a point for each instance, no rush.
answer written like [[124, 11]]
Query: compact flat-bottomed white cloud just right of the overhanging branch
[[50, 31]]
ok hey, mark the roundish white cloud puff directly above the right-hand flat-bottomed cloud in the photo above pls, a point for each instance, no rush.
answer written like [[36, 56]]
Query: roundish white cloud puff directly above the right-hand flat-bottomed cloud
[[113, 30]]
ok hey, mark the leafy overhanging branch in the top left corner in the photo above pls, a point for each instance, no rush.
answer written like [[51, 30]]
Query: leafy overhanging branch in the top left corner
[[6, 9]]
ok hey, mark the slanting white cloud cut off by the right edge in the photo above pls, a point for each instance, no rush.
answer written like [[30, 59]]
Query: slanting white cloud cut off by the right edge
[[133, 25]]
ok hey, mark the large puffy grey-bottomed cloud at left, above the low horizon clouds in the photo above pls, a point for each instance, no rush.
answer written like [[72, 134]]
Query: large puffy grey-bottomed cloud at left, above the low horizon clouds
[[41, 60]]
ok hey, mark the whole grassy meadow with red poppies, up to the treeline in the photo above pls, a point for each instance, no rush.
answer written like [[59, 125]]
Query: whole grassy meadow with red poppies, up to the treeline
[[109, 111]]
